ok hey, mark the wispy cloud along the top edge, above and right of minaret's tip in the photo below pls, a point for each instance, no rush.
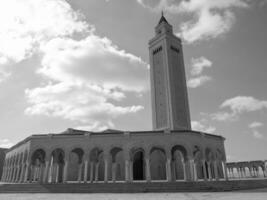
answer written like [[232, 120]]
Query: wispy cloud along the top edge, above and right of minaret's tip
[[211, 18]]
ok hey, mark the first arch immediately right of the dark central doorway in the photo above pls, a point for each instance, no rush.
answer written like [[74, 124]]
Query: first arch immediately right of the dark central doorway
[[157, 163]]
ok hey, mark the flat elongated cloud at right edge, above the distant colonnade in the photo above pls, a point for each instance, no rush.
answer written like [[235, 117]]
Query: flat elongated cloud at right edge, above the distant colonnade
[[238, 105]]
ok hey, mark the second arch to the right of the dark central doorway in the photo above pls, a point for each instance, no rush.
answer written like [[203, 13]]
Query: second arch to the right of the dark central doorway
[[179, 156]]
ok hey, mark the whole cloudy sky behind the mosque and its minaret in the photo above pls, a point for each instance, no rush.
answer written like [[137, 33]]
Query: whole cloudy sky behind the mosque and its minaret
[[84, 64]]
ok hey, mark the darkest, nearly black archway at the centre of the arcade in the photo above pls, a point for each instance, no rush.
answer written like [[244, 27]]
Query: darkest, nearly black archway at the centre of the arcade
[[138, 165]]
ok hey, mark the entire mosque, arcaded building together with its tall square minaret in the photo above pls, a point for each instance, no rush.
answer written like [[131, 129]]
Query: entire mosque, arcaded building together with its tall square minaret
[[168, 153]]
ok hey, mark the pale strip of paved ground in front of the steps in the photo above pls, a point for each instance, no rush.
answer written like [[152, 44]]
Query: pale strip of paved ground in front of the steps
[[147, 196]]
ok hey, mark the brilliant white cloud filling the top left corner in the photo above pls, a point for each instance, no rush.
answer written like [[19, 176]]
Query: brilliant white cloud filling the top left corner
[[27, 23]]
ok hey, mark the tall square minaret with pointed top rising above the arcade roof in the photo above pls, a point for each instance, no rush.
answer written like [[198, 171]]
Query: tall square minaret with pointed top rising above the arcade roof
[[170, 109]]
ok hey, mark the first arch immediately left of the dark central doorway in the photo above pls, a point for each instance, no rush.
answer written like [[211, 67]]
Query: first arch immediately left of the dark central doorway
[[118, 165]]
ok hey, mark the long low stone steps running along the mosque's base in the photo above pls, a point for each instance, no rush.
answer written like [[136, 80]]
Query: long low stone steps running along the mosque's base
[[134, 187]]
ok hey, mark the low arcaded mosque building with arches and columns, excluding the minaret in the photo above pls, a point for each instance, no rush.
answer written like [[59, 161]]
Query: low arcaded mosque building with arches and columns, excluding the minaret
[[166, 155]]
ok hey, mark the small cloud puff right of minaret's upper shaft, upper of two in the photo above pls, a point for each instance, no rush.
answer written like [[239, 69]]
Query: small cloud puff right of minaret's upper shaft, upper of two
[[199, 64]]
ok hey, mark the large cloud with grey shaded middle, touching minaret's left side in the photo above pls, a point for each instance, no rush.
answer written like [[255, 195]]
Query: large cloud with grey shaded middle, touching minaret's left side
[[94, 60]]
